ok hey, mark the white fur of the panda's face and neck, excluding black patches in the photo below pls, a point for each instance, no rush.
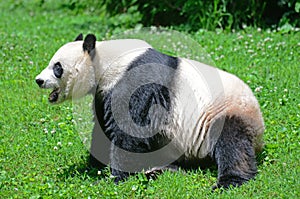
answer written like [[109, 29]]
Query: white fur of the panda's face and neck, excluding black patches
[[79, 70]]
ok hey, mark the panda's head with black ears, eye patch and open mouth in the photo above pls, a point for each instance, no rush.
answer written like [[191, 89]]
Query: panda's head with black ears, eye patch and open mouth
[[70, 72]]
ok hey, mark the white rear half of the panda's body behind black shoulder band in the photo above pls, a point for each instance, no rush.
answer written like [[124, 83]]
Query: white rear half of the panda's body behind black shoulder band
[[204, 104]]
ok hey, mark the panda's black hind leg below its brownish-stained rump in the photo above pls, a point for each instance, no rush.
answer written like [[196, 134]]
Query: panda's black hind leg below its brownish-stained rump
[[234, 154]]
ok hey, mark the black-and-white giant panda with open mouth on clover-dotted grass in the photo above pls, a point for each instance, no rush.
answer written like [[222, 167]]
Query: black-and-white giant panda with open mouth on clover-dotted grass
[[154, 111]]
